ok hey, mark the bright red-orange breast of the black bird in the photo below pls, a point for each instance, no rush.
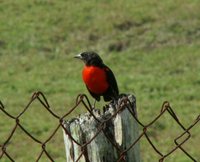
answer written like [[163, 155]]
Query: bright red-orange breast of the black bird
[[95, 79]]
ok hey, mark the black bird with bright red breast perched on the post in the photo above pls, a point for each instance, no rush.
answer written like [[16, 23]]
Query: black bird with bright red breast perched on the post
[[98, 78]]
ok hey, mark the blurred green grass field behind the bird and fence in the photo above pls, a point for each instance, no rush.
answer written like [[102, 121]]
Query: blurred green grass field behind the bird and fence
[[152, 47]]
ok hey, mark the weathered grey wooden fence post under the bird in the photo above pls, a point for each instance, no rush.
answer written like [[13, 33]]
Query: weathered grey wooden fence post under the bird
[[107, 137]]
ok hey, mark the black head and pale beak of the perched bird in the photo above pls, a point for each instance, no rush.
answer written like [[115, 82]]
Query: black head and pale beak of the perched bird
[[90, 58]]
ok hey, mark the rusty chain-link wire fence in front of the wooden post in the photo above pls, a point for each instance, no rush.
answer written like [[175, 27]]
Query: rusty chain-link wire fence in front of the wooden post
[[83, 99]]
